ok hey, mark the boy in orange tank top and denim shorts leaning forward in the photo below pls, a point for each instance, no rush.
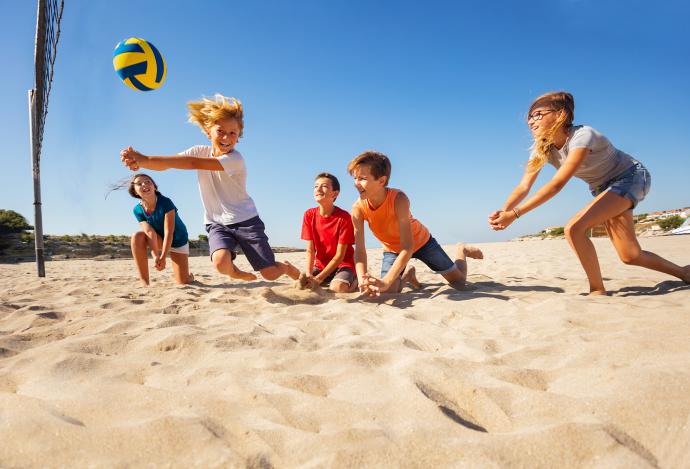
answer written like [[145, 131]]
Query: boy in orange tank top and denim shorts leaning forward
[[387, 211]]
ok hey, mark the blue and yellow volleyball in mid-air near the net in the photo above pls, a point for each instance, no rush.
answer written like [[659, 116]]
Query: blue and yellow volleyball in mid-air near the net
[[139, 64]]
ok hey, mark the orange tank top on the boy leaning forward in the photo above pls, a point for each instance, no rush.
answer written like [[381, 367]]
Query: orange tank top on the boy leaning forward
[[384, 224]]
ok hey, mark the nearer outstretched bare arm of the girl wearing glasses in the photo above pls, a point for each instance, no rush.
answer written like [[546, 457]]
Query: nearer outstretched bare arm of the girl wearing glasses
[[510, 213]]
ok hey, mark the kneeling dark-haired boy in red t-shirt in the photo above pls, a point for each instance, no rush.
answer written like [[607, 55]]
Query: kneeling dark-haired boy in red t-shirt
[[330, 236]]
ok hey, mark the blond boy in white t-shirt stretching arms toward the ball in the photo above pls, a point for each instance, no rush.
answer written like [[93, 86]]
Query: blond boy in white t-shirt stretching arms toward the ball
[[230, 215]]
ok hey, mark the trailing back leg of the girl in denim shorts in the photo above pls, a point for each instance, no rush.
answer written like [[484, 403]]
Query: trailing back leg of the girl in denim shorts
[[621, 230]]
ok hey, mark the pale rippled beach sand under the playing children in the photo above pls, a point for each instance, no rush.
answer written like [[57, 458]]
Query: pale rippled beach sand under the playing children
[[519, 370]]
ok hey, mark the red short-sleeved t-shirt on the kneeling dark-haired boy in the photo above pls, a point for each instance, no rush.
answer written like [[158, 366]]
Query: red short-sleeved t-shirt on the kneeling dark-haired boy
[[327, 233]]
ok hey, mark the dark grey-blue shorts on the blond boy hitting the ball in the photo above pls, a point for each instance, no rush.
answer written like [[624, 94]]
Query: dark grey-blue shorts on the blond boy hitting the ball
[[249, 235]]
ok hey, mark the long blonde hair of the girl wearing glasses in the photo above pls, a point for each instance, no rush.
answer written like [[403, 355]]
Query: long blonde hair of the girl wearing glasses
[[557, 101]]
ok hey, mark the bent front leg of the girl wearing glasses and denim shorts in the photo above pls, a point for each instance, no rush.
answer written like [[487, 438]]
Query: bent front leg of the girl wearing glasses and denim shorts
[[605, 206]]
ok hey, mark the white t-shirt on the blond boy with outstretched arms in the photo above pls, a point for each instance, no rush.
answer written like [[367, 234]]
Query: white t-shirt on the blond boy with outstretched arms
[[224, 193]]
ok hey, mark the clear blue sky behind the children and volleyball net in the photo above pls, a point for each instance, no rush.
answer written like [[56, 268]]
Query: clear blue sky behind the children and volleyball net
[[441, 87]]
